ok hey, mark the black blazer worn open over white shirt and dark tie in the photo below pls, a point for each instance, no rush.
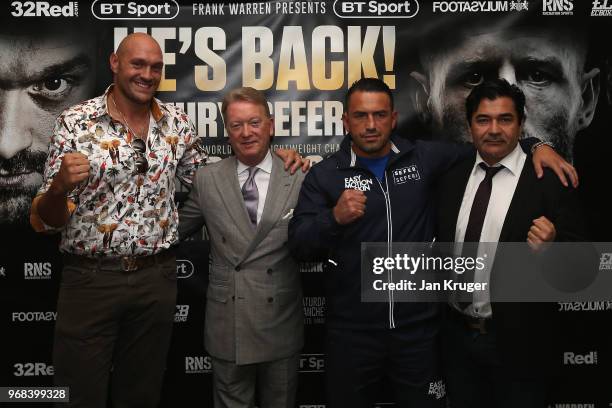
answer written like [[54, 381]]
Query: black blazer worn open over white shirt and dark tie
[[525, 332]]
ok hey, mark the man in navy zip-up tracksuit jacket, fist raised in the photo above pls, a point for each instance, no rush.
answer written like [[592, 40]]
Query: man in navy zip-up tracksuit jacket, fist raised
[[394, 179]]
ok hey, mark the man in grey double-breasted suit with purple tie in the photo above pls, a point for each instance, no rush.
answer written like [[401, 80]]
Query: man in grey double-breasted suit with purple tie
[[254, 317]]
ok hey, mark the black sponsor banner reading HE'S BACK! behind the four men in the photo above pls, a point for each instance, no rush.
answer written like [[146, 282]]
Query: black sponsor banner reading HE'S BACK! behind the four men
[[304, 55]]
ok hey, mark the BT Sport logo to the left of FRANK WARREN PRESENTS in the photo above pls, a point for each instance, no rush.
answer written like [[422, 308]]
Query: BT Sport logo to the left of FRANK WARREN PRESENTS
[[135, 10]]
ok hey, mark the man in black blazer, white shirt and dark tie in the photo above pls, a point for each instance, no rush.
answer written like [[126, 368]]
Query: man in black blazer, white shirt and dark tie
[[500, 354]]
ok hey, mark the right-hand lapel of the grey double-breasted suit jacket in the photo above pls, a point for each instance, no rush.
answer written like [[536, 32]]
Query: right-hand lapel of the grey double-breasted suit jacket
[[279, 188]]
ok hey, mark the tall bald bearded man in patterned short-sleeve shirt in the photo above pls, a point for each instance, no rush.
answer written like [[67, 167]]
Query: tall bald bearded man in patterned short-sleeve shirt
[[109, 187]]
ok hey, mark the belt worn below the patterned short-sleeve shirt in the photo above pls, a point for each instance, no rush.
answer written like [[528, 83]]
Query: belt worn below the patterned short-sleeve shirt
[[122, 263]]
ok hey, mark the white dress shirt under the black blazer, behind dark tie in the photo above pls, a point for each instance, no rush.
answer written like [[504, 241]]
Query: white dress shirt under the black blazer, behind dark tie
[[503, 187]]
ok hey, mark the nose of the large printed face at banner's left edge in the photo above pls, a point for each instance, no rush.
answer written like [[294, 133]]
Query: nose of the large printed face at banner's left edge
[[15, 117]]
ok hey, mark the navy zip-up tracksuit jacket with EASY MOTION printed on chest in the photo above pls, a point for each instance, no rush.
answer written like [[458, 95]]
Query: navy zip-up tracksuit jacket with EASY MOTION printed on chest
[[399, 208]]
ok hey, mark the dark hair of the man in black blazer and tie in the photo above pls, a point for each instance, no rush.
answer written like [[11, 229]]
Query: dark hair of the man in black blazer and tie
[[493, 89]]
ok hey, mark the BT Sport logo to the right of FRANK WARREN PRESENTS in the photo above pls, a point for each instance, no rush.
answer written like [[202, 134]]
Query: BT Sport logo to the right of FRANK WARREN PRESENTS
[[376, 9]]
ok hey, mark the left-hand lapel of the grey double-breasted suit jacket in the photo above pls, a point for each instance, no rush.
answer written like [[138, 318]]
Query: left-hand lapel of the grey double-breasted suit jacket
[[226, 181]]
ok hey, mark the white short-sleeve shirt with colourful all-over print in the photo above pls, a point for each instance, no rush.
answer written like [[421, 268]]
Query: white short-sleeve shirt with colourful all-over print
[[119, 210]]
